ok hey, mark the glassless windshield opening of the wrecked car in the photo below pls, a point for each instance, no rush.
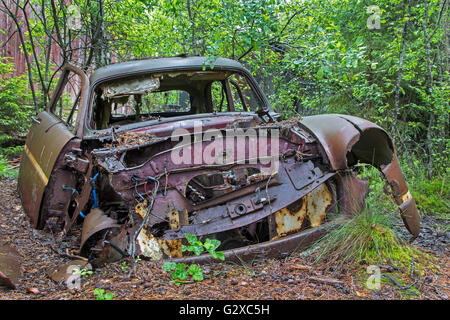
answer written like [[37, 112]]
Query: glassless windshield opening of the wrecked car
[[170, 94]]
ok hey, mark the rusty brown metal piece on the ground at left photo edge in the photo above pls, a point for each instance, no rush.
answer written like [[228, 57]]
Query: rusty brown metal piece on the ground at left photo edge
[[10, 266]]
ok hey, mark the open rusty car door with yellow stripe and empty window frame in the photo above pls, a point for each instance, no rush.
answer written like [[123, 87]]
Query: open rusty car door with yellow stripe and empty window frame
[[49, 133]]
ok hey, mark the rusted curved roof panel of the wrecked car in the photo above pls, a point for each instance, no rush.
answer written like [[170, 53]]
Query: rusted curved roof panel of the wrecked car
[[158, 64]]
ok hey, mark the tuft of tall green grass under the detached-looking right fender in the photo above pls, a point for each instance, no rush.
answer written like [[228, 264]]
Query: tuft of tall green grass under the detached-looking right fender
[[369, 237]]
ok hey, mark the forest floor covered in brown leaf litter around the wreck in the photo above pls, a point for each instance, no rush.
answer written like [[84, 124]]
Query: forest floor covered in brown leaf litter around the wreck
[[295, 277]]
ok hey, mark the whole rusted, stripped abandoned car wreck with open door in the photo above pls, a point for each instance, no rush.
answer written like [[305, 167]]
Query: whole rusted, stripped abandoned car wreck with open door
[[127, 161]]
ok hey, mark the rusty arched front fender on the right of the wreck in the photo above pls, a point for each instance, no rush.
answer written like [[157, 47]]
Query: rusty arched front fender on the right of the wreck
[[347, 140]]
